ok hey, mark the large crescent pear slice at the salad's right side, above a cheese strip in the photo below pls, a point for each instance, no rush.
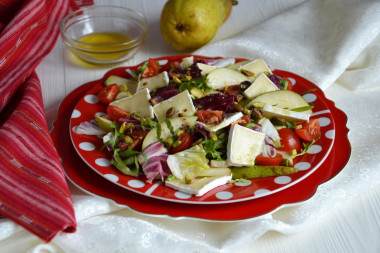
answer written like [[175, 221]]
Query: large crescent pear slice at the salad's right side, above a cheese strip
[[285, 99]]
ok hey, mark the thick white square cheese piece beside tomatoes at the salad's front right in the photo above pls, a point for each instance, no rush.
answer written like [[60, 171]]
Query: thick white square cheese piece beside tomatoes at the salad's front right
[[244, 145]]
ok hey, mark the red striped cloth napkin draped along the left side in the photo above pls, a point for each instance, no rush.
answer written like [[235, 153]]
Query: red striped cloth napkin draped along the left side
[[33, 189]]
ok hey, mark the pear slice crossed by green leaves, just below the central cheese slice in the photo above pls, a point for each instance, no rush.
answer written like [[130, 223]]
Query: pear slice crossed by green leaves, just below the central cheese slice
[[176, 123]]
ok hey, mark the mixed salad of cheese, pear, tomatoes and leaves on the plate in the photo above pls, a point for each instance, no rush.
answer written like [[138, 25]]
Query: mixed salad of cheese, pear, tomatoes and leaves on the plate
[[203, 123]]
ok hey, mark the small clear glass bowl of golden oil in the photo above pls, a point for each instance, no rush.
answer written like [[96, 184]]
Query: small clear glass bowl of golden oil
[[104, 34]]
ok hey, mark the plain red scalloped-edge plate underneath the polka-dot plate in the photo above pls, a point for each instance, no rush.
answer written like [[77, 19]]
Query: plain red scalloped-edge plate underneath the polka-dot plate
[[86, 178]]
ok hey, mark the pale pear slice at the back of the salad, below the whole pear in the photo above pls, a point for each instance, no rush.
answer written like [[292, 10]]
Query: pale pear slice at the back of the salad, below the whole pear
[[222, 77]]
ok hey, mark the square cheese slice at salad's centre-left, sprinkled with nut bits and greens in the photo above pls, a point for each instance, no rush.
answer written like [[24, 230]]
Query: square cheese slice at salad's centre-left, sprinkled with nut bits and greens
[[182, 103]]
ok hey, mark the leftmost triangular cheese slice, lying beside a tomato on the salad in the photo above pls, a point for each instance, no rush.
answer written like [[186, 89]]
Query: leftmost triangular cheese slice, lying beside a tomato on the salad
[[137, 103]]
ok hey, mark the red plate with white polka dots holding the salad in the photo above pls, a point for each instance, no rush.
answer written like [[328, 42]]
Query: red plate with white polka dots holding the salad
[[88, 148]]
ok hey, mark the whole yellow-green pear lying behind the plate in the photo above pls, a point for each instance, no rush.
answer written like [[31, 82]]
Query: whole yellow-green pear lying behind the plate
[[187, 25]]
